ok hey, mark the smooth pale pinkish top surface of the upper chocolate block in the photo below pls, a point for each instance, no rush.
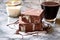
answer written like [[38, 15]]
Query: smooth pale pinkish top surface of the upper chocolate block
[[32, 12]]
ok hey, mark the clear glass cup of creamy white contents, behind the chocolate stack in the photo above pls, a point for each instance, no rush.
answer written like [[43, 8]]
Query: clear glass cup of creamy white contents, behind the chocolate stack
[[13, 8]]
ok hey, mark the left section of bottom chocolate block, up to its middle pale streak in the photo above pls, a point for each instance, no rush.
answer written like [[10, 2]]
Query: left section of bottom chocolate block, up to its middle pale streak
[[26, 27]]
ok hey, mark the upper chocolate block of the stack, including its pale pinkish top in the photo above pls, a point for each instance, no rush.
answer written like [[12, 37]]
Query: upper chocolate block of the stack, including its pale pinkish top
[[33, 15]]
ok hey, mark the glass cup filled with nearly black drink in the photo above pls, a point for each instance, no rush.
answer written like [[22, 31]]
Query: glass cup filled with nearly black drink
[[50, 10]]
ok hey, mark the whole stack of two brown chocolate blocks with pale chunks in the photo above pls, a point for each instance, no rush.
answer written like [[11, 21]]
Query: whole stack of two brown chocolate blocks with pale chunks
[[31, 20]]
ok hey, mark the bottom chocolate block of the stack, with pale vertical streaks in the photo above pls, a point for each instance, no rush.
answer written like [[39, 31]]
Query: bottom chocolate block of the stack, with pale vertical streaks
[[30, 27]]
